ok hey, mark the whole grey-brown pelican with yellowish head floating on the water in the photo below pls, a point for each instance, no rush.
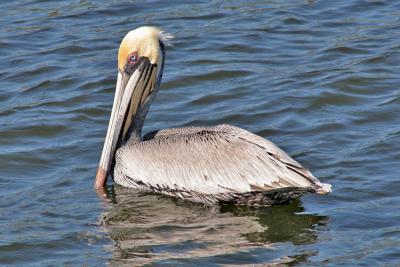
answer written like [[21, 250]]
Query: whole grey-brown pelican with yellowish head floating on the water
[[215, 164]]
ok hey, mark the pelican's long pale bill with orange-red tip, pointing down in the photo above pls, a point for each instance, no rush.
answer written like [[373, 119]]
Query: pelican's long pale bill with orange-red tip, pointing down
[[129, 91]]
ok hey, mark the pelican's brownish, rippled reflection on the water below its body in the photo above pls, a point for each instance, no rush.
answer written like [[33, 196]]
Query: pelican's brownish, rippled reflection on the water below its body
[[151, 228]]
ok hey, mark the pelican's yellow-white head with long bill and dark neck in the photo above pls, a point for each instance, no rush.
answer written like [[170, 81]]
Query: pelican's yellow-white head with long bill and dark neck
[[140, 65]]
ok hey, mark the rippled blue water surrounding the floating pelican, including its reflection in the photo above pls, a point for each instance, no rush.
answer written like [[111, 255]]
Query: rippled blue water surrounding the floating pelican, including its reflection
[[318, 78]]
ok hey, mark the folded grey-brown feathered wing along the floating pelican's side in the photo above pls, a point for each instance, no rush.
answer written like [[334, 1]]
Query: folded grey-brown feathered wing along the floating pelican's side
[[222, 161]]
